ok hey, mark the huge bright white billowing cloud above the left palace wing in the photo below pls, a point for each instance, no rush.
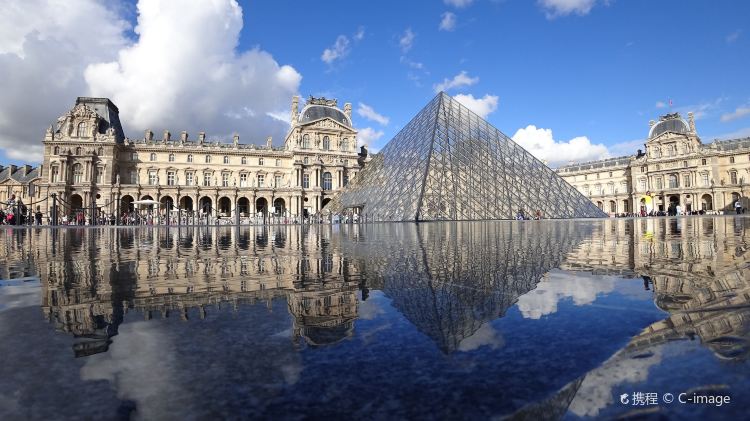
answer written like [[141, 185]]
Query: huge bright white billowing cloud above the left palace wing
[[195, 80]]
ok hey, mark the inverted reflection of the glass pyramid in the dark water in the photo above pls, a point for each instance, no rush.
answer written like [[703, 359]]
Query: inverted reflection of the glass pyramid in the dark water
[[450, 279]]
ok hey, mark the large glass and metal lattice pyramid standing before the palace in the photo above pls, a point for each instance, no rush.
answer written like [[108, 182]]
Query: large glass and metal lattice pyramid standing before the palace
[[448, 163]]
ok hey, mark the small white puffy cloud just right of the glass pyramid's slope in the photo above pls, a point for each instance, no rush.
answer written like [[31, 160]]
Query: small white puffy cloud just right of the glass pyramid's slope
[[540, 143]]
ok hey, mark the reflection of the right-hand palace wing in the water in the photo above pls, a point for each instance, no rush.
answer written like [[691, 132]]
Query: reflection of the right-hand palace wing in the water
[[698, 269]]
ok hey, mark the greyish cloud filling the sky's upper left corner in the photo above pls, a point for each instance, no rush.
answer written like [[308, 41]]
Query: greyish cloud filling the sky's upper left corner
[[45, 46]]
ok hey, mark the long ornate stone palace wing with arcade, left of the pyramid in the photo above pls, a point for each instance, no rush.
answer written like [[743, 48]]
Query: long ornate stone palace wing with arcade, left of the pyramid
[[89, 161]]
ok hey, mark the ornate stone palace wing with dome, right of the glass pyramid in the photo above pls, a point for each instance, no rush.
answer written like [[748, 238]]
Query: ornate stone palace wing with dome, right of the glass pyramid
[[676, 169]]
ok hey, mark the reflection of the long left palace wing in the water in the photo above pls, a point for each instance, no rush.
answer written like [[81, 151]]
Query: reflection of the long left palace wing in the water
[[92, 277]]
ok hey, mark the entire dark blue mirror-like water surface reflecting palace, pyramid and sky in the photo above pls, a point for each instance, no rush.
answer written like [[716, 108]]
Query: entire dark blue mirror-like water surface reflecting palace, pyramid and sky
[[471, 320]]
